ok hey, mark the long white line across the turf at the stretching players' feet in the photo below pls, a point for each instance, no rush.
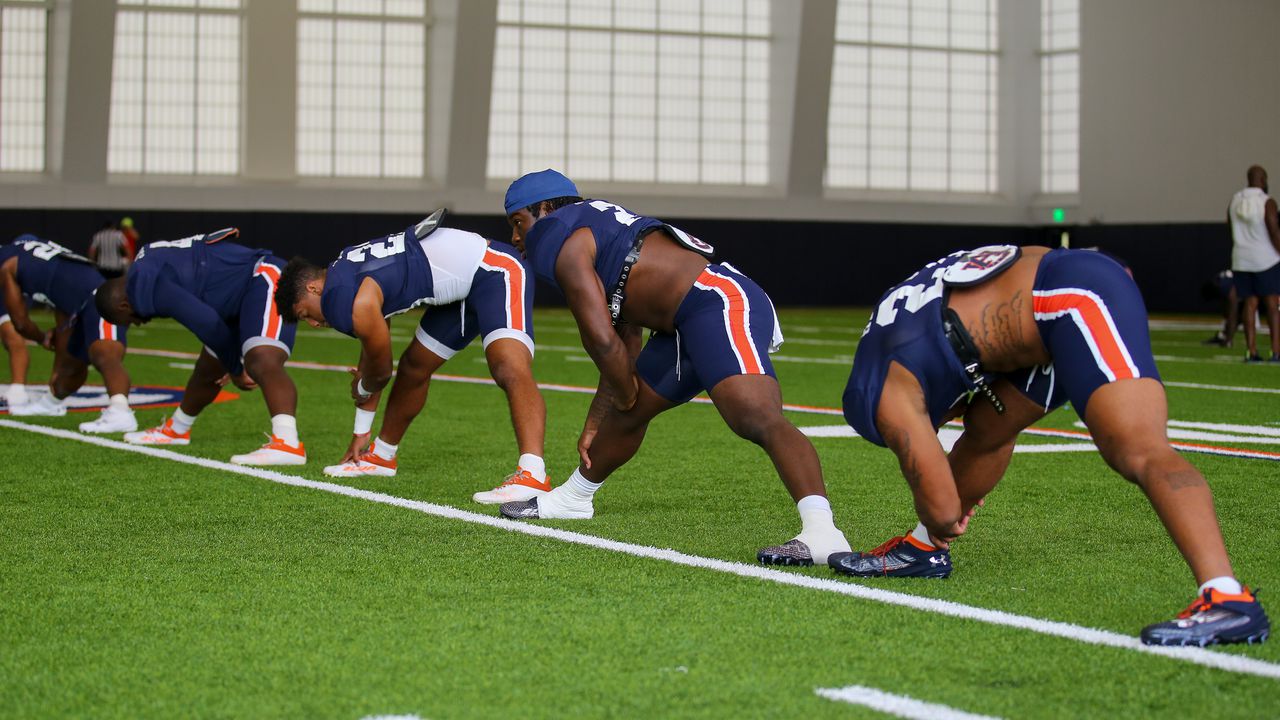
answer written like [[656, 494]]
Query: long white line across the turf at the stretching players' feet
[[1053, 628]]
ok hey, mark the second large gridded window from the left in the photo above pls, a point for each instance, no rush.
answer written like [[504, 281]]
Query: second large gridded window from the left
[[176, 88]]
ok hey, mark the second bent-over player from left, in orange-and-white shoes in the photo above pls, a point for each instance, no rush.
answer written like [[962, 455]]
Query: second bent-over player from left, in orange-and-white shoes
[[226, 295]]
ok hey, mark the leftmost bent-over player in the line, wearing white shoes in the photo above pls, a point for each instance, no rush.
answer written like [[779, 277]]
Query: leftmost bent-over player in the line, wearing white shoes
[[54, 276]]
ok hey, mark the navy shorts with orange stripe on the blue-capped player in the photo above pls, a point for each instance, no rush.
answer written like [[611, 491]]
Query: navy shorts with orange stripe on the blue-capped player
[[724, 327]]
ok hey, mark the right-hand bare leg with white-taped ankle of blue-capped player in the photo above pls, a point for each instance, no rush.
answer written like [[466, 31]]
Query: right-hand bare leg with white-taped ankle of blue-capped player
[[752, 407]]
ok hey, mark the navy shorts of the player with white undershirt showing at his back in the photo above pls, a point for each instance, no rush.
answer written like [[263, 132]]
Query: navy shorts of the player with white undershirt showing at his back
[[500, 306]]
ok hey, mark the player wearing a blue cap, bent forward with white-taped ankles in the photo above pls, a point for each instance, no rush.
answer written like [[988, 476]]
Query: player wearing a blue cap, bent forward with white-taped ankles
[[714, 330]]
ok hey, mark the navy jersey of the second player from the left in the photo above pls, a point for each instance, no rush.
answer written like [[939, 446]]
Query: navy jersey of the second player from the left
[[198, 284]]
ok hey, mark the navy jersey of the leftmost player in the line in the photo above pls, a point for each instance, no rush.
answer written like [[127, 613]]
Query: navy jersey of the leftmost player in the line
[[53, 275]]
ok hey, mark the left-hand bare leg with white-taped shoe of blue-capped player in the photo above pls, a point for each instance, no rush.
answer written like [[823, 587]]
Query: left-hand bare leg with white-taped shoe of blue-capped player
[[616, 441]]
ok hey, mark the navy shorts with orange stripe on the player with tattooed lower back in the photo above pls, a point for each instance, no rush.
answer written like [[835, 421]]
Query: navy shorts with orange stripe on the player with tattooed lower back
[[1094, 323]]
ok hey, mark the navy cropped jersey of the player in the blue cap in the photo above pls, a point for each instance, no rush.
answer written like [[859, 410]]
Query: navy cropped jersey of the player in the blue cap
[[614, 227]]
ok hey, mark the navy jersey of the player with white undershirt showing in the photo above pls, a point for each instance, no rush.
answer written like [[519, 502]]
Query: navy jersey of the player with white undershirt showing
[[399, 266]]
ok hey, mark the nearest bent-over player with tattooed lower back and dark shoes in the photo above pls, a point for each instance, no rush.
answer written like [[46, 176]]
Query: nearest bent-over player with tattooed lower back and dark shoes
[[1022, 331]]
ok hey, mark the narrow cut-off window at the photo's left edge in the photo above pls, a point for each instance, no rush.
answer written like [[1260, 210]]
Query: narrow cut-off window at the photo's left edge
[[24, 62]]
